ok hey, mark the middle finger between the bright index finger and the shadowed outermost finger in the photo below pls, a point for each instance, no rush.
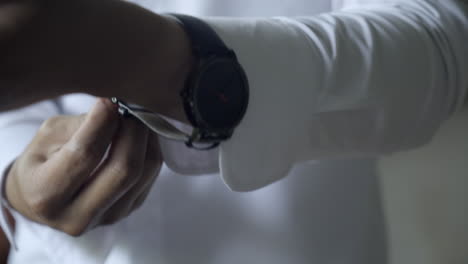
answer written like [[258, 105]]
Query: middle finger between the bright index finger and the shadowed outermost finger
[[119, 173]]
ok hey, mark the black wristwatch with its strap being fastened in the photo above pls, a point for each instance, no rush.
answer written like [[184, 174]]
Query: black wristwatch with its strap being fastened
[[215, 95]]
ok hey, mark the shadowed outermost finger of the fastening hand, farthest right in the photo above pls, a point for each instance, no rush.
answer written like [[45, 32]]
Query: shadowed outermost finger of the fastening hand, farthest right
[[125, 205]]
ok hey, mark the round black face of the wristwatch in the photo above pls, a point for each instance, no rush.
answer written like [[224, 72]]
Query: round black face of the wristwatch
[[221, 94]]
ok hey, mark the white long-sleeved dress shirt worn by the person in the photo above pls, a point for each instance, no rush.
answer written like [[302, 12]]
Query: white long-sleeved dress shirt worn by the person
[[328, 93]]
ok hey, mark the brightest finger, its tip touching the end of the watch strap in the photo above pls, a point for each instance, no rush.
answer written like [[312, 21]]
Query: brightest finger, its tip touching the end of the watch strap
[[70, 166]]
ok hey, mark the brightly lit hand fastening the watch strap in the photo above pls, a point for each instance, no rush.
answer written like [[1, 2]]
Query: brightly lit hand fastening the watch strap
[[65, 179]]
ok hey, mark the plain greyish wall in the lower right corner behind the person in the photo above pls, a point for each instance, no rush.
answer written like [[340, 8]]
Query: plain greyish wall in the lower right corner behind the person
[[426, 198]]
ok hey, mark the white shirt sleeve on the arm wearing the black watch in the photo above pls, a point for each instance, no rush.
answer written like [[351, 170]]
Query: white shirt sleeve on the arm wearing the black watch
[[359, 82]]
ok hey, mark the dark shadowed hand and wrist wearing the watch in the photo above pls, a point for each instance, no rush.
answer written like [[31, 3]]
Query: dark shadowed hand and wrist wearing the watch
[[105, 48]]
